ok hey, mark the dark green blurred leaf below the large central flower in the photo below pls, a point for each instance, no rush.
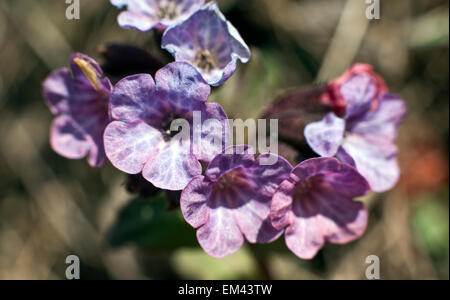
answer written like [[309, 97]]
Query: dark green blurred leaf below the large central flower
[[147, 224]]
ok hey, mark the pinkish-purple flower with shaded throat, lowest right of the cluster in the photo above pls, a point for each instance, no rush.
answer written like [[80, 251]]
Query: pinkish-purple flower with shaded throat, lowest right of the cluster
[[315, 204]]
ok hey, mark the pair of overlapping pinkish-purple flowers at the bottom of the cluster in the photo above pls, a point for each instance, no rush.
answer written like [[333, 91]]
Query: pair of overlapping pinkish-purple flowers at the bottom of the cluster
[[238, 197]]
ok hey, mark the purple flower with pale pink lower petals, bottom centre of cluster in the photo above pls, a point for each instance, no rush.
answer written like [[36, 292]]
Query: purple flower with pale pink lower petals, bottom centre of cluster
[[232, 201]]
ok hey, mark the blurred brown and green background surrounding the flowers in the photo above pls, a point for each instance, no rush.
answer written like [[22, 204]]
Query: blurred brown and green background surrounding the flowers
[[51, 207]]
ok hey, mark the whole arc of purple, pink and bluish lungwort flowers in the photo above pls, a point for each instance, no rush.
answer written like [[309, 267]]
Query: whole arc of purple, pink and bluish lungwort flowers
[[227, 193]]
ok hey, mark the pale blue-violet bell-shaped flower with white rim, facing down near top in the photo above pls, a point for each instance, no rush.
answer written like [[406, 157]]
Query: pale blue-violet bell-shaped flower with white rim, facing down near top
[[209, 42]]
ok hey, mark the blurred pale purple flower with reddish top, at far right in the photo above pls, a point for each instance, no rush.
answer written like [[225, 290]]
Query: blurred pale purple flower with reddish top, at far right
[[365, 137]]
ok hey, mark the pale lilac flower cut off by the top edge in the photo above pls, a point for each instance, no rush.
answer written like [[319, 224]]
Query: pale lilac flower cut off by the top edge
[[145, 15]]
